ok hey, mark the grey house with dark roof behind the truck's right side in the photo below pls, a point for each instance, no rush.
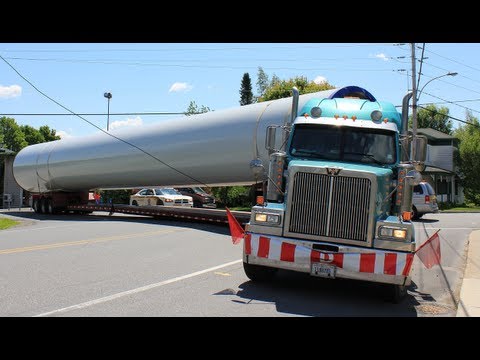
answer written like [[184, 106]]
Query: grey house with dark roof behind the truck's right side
[[440, 170]]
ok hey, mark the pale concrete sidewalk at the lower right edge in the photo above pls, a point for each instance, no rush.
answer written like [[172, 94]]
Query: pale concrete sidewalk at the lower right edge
[[469, 304]]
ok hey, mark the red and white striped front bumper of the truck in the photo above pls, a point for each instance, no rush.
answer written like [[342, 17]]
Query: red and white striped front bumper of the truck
[[350, 262]]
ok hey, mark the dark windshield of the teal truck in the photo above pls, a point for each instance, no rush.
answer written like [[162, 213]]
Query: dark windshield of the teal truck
[[344, 144]]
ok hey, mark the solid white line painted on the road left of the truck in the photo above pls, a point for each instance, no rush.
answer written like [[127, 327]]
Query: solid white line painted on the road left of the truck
[[137, 290]]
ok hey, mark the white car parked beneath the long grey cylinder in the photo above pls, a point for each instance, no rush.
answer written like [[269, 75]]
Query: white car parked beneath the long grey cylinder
[[161, 197]]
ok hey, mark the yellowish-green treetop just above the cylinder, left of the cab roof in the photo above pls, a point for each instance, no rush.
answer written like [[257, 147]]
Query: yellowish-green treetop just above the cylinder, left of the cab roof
[[279, 89]]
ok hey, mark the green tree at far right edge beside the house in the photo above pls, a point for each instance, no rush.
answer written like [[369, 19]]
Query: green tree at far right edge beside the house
[[468, 159]]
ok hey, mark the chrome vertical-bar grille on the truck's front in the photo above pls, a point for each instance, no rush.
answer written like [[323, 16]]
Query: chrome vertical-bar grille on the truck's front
[[330, 206]]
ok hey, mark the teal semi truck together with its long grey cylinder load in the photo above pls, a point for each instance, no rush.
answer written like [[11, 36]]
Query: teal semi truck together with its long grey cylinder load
[[336, 169]]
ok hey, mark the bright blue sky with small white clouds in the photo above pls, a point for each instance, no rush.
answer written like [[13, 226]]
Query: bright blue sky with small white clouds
[[165, 77]]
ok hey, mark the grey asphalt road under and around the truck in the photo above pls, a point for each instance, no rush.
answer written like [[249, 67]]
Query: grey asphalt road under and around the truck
[[96, 265]]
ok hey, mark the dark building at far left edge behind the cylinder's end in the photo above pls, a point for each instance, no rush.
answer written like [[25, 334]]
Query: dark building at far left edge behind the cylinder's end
[[11, 193]]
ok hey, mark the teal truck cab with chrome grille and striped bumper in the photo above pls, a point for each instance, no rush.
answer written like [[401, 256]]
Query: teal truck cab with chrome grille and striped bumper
[[338, 194]]
